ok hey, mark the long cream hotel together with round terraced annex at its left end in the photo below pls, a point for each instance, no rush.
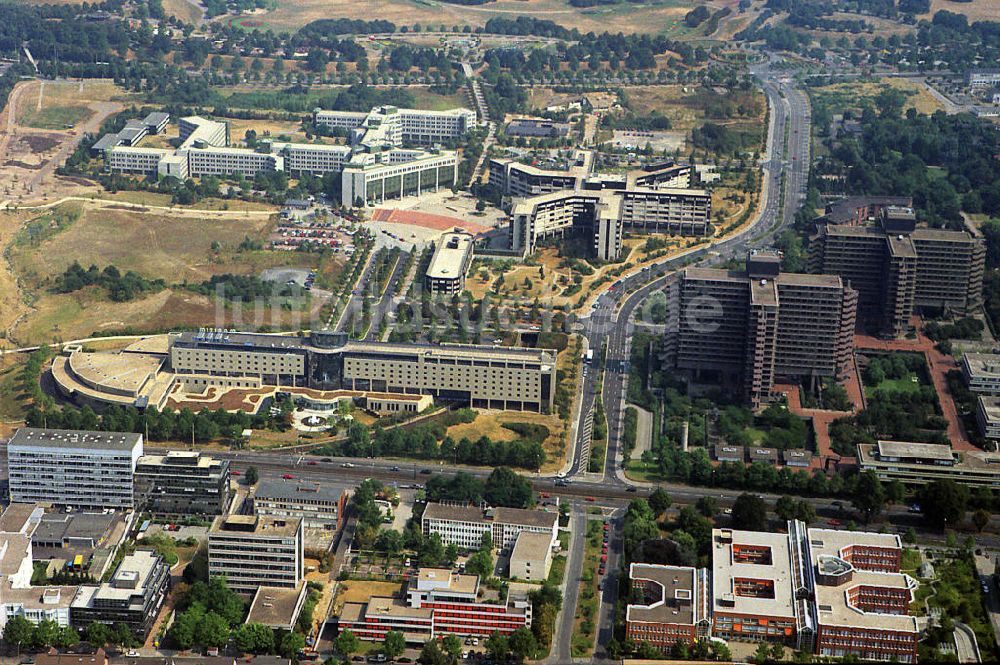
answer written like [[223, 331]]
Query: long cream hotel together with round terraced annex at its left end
[[320, 369]]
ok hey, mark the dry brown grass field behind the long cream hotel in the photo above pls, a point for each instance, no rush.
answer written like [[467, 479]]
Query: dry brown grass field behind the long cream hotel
[[175, 249]]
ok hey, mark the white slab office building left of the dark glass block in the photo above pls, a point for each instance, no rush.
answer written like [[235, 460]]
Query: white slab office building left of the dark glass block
[[72, 468]]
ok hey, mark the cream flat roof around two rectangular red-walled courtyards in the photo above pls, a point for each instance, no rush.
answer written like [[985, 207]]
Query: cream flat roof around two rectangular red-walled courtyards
[[725, 570]]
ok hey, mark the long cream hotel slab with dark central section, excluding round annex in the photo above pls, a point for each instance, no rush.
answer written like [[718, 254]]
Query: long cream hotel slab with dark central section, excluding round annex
[[479, 376]]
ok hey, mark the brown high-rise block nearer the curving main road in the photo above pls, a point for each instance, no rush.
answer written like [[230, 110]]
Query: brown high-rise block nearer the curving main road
[[751, 326]]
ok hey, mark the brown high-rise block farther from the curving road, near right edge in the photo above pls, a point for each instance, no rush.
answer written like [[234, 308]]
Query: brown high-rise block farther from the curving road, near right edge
[[897, 267]]
